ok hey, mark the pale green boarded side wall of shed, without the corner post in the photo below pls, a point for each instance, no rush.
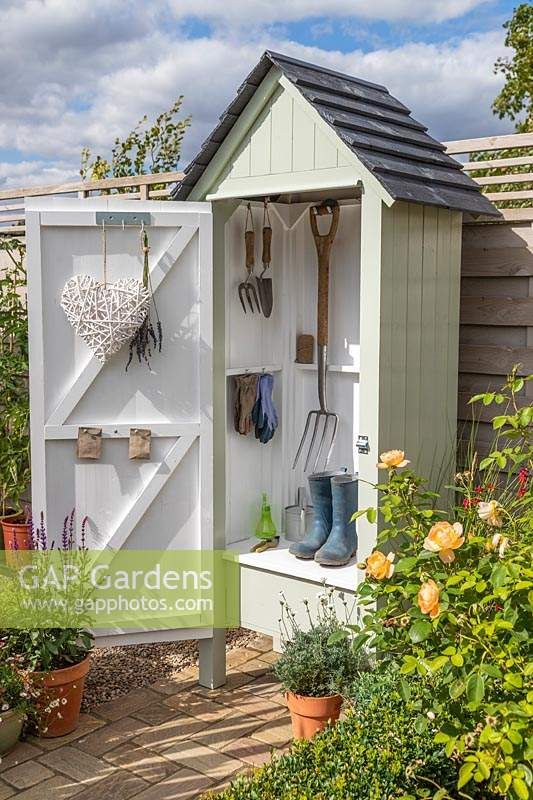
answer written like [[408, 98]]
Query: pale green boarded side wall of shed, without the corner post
[[419, 333]]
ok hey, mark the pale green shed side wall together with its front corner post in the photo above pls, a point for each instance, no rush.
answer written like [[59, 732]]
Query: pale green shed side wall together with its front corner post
[[410, 283]]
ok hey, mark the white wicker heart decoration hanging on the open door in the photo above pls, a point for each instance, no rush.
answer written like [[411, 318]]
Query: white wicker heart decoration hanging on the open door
[[105, 316]]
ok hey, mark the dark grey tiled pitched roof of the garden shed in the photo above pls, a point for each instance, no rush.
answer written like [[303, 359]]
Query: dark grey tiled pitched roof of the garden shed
[[379, 129]]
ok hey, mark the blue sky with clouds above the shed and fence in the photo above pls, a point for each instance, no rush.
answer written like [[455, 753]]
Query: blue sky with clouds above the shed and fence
[[79, 73]]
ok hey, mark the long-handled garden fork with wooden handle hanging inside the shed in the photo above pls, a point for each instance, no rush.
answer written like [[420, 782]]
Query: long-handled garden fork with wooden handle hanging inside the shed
[[329, 419]]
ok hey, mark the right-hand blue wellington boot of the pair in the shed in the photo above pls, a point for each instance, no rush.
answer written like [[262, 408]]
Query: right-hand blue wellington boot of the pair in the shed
[[342, 541]]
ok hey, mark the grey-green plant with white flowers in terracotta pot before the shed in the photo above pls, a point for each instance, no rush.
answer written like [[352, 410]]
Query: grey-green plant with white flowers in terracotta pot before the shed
[[316, 665]]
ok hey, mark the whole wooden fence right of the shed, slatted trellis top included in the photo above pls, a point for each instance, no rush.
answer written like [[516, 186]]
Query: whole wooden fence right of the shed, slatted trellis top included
[[497, 279]]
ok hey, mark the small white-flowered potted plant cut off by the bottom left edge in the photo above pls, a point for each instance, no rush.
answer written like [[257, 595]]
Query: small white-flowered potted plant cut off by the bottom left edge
[[16, 692]]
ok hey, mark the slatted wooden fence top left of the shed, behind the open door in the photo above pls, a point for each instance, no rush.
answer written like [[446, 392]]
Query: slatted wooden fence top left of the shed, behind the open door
[[140, 187]]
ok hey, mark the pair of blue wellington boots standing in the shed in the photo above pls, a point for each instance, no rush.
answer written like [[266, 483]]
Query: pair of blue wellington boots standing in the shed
[[332, 540]]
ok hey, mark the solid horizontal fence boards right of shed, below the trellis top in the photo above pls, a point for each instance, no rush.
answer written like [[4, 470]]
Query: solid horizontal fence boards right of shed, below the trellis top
[[496, 329]]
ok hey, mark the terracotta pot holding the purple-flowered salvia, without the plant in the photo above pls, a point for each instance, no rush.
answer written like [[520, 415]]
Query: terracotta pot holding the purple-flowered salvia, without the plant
[[66, 686]]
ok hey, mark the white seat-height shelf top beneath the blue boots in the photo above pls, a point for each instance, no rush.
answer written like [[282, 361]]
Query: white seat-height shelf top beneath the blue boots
[[282, 562]]
